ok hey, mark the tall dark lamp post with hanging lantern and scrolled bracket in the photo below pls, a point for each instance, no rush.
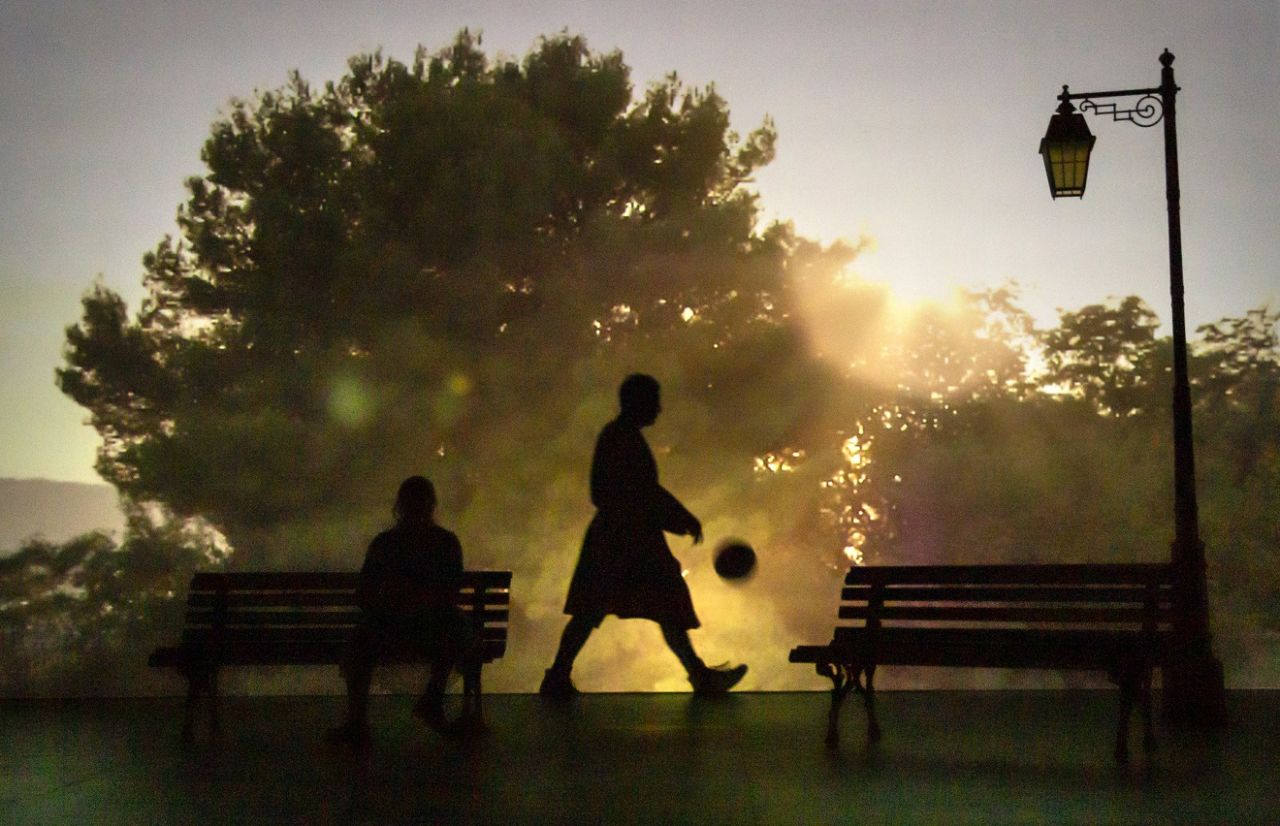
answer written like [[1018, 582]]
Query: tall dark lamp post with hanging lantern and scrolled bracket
[[1194, 692]]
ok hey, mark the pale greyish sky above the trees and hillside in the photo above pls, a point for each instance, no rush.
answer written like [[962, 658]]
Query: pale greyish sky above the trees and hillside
[[912, 124]]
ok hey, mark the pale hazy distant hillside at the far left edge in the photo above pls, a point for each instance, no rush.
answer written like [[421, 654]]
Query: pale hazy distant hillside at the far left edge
[[54, 510]]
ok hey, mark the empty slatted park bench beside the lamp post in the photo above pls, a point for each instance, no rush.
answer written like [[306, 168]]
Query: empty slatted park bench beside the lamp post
[[1096, 618]]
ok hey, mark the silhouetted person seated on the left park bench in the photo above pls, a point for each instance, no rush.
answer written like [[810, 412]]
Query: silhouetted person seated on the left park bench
[[408, 590]]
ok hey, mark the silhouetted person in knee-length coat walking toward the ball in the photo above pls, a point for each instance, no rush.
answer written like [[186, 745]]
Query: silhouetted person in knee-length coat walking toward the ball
[[625, 567]]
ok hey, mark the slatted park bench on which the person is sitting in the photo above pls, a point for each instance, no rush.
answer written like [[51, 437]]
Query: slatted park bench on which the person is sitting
[[304, 619]]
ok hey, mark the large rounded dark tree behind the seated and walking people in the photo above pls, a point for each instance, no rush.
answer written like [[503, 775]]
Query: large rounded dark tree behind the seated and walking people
[[415, 263]]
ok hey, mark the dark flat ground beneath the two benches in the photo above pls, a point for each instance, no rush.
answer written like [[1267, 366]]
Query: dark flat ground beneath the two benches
[[948, 757]]
